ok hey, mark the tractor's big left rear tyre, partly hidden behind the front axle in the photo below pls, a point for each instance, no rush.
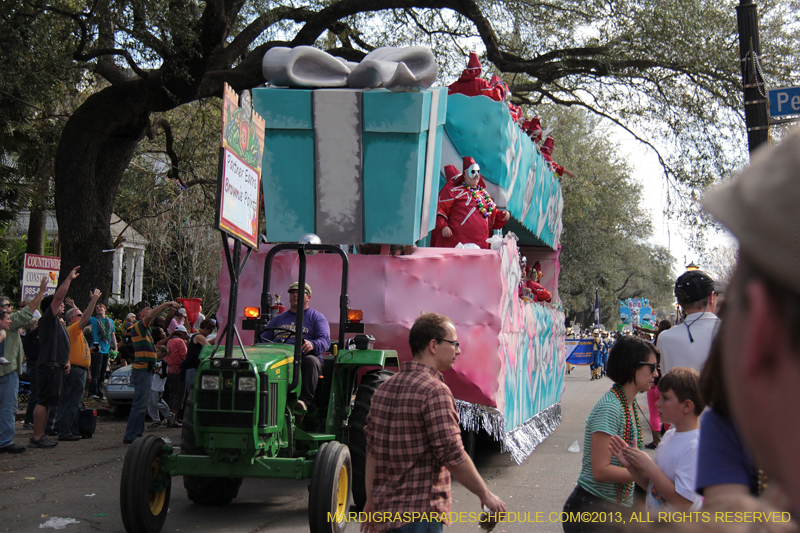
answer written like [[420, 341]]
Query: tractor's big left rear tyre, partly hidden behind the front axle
[[204, 490]]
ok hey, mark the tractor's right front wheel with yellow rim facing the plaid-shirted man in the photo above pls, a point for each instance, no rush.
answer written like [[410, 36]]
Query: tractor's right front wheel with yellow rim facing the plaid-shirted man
[[328, 503]]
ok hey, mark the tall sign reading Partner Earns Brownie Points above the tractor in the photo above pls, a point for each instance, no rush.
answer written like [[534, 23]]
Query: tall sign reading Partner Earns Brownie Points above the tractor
[[239, 179]]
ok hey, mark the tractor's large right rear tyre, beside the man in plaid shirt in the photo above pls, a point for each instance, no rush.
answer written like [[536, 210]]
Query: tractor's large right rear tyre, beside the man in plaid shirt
[[358, 420]]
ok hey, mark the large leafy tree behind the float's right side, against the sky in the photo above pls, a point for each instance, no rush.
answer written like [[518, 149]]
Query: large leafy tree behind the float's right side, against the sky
[[604, 241]]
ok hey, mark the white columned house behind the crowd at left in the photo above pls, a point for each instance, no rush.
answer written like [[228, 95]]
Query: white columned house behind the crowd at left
[[129, 255]]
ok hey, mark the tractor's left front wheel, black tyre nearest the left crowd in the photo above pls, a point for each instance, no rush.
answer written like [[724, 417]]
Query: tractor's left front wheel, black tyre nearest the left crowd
[[144, 490]]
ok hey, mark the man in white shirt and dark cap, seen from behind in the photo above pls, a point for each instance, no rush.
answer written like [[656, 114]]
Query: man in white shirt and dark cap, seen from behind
[[688, 343]]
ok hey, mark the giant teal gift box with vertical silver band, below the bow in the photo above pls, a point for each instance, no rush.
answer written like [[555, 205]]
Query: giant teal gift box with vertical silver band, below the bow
[[353, 166]]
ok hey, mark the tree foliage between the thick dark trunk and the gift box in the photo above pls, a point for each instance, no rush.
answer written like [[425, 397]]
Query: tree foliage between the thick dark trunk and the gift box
[[183, 255]]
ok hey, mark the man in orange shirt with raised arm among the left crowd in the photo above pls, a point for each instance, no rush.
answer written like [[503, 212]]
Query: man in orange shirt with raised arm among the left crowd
[[80, 360]]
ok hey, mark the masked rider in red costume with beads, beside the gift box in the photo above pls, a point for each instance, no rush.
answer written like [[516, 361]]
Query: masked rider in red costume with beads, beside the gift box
[[466, 212]]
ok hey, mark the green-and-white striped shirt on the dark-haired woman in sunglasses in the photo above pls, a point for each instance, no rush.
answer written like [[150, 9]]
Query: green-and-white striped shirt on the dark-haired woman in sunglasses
[[608, 417]]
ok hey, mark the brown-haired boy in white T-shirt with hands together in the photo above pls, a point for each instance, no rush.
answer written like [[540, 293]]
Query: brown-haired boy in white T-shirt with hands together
[[669, 480]]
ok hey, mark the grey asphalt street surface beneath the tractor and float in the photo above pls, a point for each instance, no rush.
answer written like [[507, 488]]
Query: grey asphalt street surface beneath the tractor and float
[[80, 481]]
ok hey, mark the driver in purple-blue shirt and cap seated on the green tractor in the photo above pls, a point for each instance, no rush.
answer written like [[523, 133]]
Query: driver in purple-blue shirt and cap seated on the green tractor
[[316, 340]]
